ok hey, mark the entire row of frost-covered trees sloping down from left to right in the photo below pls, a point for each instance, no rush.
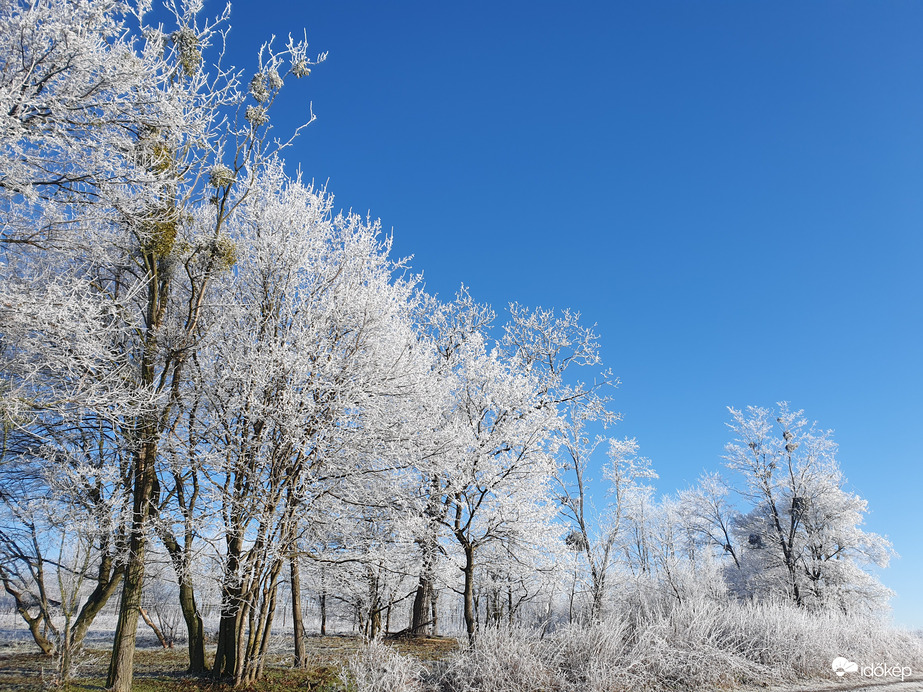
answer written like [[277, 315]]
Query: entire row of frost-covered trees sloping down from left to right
[[204, 367]]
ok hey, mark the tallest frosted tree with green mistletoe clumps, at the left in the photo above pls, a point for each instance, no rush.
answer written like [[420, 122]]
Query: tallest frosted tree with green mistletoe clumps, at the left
[[118, 170]]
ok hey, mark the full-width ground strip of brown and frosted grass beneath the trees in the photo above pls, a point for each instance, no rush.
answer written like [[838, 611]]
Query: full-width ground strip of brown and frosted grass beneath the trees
[[697, 645]]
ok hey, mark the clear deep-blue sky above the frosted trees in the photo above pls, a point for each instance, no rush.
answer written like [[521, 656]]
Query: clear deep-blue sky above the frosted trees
[[730, 190]]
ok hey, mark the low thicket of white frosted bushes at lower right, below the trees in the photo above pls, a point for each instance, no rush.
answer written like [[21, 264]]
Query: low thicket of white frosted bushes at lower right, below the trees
[[699, 644]]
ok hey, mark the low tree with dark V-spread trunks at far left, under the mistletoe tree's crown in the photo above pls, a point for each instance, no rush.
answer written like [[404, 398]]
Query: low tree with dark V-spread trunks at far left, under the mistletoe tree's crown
[[60, 489]]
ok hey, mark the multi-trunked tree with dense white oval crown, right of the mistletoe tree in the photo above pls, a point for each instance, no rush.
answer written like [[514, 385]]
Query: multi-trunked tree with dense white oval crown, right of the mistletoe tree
[[309, 392]]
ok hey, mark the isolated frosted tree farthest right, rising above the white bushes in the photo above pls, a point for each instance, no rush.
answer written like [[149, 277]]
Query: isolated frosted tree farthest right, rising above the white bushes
[[802, 535]]
